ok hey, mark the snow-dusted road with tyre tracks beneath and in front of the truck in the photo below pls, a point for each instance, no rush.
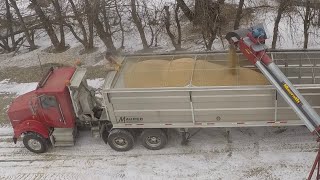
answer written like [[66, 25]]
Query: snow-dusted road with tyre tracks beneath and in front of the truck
[[248, 153]]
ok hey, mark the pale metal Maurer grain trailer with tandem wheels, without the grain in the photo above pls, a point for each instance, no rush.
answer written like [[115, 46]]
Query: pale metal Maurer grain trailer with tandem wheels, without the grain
[[153, 110]]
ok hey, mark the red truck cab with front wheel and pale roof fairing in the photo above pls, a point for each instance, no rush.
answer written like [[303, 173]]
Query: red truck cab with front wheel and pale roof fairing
[[50, 114]]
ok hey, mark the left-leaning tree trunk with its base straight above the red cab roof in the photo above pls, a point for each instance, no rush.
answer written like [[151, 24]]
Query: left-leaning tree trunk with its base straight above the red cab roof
[[46, 24]]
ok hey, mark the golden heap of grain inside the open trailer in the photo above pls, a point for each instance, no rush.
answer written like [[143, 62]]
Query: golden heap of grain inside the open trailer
[[189, 72]]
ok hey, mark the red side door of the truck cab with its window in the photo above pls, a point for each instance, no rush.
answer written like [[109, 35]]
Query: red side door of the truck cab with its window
[[51, 111]]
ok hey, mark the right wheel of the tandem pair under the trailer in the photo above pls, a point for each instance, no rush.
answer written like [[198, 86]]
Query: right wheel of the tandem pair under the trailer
[[154, 139]]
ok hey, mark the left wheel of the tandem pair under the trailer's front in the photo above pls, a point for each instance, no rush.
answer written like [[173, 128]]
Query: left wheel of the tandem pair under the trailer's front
[[120, 140]]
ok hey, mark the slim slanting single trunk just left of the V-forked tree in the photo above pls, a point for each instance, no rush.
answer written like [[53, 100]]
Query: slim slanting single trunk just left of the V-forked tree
[[138, 24]]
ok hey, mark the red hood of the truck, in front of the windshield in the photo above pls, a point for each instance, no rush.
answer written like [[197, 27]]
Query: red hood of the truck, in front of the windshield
[[19, 109]]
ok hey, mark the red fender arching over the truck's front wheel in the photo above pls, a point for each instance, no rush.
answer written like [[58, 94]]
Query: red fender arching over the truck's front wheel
[[31, 126]]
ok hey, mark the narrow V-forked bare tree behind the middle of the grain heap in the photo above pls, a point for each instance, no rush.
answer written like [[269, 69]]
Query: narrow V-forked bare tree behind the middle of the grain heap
[[175, 43]]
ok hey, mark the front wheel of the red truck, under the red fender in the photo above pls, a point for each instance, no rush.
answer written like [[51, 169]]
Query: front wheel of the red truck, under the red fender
[[34, 142]]
